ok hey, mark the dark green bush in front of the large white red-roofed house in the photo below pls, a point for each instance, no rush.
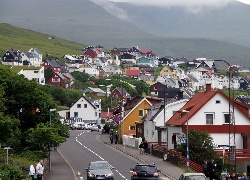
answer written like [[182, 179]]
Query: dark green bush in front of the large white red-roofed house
[[200, 147]]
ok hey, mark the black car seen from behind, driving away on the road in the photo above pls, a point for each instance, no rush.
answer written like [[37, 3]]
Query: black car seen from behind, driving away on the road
[[145, 171]]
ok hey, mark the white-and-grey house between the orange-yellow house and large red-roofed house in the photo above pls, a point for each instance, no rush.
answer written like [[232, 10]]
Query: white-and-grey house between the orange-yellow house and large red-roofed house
[[156, 118]]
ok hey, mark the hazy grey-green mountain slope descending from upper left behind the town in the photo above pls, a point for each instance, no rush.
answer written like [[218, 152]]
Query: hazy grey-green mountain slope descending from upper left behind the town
[[84, 22]]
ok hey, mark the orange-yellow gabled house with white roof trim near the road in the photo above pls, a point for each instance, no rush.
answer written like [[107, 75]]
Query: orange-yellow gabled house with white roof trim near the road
[[128, 123]]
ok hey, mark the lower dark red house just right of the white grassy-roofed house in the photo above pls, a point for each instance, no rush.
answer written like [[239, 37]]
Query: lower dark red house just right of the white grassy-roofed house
[[60, 80]]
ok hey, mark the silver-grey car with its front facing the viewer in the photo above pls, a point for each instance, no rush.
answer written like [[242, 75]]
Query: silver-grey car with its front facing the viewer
[[100, 170]]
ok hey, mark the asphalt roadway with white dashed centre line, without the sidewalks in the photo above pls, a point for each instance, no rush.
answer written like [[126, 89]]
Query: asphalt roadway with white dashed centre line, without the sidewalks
[[82, 147]]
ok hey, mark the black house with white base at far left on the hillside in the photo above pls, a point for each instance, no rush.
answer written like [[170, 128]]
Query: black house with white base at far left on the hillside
[[12, 57]]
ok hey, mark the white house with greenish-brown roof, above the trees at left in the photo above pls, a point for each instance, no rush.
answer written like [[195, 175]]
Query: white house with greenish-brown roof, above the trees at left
[[31, 73]]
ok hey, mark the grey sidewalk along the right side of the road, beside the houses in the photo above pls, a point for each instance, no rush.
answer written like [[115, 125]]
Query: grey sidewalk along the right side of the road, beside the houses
[[167, 169]]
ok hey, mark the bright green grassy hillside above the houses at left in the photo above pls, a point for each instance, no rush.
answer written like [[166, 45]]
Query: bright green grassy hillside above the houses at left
[[17, 38]]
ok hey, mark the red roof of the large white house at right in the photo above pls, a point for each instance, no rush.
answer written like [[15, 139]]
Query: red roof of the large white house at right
[[197, 102]]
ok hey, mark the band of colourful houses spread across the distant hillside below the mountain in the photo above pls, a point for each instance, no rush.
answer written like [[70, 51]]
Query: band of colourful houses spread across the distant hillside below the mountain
[[137, 63]]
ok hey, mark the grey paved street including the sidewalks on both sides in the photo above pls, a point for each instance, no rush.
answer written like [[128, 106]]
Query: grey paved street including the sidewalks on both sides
[[83, 147]]
